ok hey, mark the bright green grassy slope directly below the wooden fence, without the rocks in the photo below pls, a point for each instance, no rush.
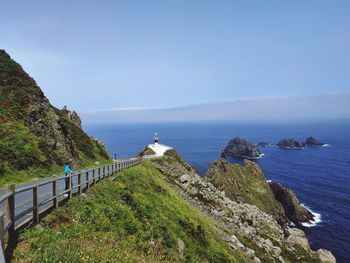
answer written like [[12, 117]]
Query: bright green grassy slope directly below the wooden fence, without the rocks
[[135, 218]]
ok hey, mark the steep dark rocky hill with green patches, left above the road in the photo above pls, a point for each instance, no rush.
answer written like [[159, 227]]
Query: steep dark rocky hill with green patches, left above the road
[[33, 133]]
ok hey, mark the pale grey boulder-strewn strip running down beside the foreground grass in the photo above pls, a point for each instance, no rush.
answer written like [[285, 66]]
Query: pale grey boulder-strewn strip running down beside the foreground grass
[[243, 226]]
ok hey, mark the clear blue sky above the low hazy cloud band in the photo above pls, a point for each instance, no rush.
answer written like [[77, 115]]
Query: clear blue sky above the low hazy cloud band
[[117, 55]]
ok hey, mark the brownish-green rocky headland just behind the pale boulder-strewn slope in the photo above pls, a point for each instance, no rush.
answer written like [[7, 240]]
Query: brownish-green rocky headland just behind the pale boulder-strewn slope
[[244, 183]]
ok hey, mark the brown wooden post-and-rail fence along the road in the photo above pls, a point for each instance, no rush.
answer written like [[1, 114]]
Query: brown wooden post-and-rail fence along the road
[[25, 204]]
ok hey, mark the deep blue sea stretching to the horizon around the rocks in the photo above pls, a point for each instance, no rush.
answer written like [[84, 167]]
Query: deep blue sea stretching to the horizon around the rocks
[[320, 176]]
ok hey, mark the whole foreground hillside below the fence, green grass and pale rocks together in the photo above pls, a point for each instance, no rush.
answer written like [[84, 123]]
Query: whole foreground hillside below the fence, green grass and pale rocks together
[[162, 211]]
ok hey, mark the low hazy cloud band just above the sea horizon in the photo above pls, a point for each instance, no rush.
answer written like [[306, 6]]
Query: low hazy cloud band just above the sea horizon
[[276, 108]]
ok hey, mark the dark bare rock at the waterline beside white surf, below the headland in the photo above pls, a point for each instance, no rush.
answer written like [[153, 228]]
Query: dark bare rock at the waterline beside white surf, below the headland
[[292, 208]]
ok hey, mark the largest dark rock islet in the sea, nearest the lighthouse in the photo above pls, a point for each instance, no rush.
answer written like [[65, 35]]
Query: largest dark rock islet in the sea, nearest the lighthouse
[[240, 148]]
